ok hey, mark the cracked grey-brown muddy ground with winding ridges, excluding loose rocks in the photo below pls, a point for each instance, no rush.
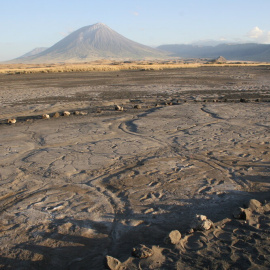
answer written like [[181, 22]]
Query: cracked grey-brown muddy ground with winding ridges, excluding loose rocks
[[75, 189]]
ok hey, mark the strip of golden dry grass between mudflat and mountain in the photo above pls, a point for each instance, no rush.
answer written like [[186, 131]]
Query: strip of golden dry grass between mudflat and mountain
[[110, 66]]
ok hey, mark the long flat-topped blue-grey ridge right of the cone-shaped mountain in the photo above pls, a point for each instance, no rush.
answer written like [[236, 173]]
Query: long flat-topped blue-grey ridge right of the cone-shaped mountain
[[244, 52]]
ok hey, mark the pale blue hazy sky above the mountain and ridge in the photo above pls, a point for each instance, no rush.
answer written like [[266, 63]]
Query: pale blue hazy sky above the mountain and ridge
[[26, 24]]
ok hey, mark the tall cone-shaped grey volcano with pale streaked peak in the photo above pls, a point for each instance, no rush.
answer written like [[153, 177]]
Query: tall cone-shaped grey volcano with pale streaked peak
[[90, 43]]
